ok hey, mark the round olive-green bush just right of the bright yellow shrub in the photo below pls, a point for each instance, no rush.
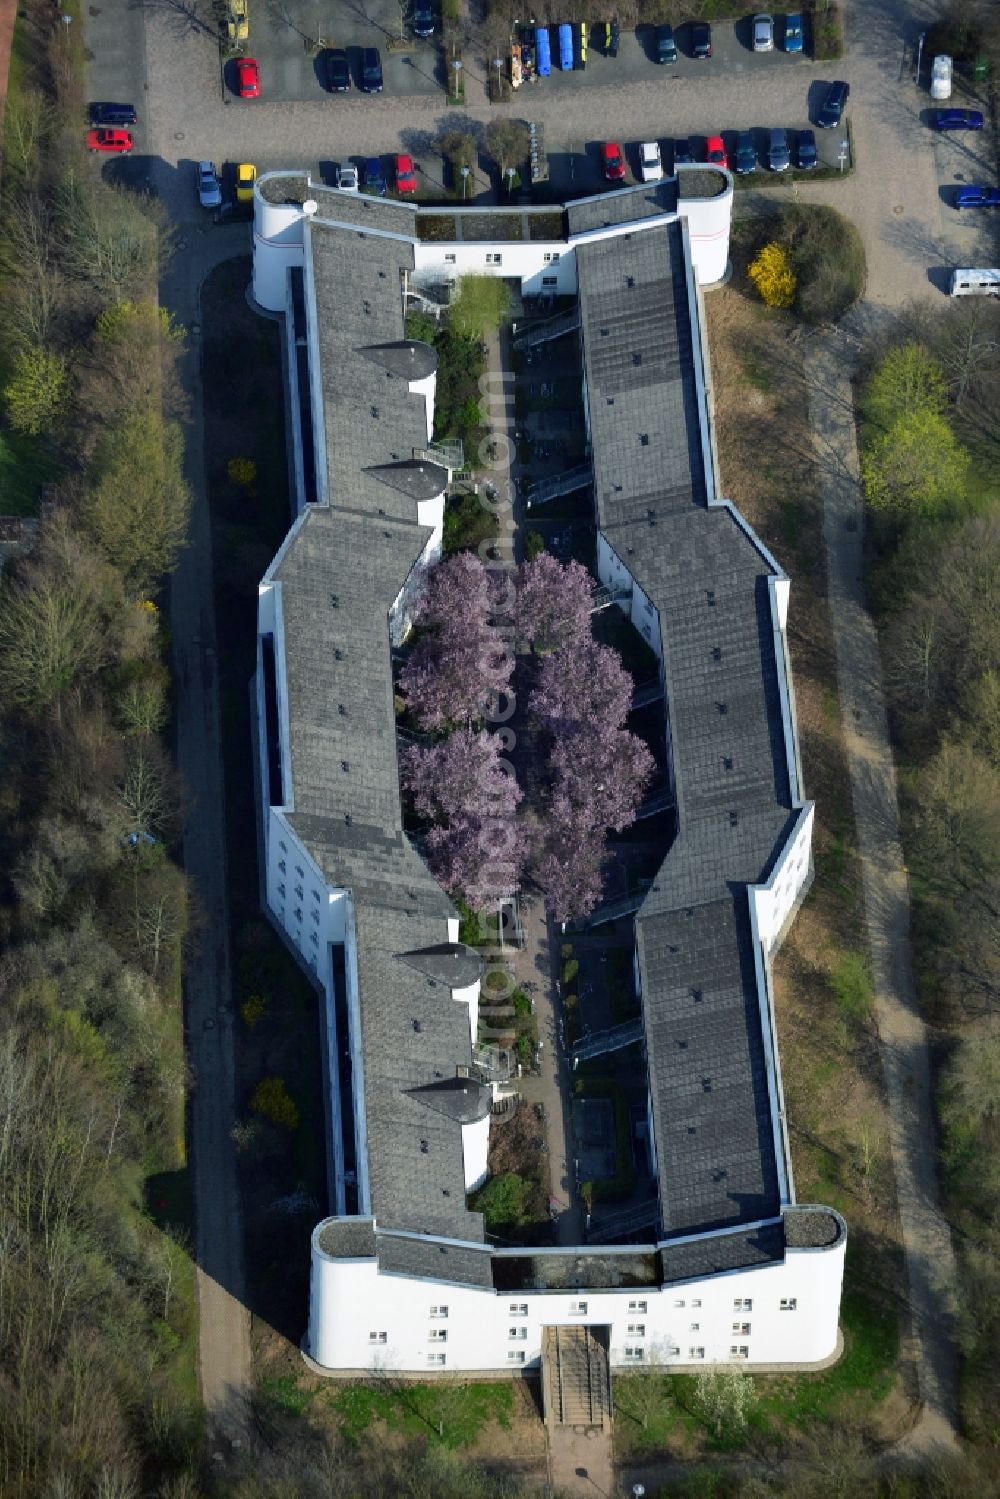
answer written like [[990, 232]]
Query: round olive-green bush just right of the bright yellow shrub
[[828, 260]]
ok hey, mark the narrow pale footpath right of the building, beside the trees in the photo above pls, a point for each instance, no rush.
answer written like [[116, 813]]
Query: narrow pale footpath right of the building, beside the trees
[[930, 1263]]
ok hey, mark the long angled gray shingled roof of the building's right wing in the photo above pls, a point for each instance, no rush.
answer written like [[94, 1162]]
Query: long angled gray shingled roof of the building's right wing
[[710, 584]]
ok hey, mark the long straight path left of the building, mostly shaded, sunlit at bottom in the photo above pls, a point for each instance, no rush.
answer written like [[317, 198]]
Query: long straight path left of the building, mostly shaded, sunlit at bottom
[[224, 1318]]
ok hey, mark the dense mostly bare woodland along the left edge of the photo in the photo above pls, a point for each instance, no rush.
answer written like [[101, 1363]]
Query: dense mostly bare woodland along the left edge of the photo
[[98, 1330]]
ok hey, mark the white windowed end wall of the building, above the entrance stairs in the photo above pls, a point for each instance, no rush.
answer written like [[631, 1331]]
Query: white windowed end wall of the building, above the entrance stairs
[[350, 1300]]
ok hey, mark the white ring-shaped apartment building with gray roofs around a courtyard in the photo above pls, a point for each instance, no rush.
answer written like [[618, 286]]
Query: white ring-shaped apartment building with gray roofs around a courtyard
[[728, 1264]]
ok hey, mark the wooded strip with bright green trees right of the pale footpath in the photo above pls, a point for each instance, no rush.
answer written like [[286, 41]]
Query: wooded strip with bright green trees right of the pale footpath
[[930, 428]]
